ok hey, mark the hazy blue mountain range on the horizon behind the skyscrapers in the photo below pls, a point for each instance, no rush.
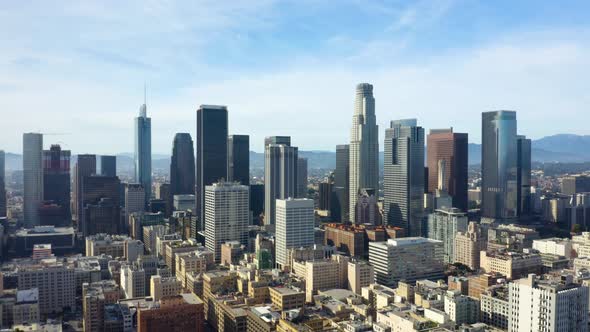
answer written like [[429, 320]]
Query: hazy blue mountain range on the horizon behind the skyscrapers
[[566, 148]]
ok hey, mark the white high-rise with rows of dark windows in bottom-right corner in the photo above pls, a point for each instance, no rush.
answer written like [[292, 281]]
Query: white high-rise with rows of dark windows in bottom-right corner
[[547, 305]]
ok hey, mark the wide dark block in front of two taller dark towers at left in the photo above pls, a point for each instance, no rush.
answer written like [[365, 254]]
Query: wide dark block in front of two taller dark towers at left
[[100, 210]]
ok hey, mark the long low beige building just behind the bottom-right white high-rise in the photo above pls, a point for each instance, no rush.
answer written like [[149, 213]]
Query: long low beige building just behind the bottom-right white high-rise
[[510, 264]]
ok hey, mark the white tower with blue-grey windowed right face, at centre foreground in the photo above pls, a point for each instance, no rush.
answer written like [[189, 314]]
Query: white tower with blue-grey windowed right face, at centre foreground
[[294, 228]]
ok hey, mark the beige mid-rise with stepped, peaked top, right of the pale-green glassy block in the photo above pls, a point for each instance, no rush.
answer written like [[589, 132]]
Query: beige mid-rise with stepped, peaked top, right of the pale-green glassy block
[[468, 245]]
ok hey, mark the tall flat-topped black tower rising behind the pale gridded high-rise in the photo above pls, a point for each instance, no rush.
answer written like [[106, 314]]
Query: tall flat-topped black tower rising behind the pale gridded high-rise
[[211, 152]]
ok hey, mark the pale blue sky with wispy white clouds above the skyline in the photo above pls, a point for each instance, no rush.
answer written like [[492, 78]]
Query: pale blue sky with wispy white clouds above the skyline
[[76, 70]]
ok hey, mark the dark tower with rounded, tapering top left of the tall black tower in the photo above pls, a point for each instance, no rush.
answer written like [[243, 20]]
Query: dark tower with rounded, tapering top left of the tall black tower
[[182, 165]]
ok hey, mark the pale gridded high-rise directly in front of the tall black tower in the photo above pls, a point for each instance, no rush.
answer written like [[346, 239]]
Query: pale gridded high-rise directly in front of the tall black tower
[[227, 212]]
